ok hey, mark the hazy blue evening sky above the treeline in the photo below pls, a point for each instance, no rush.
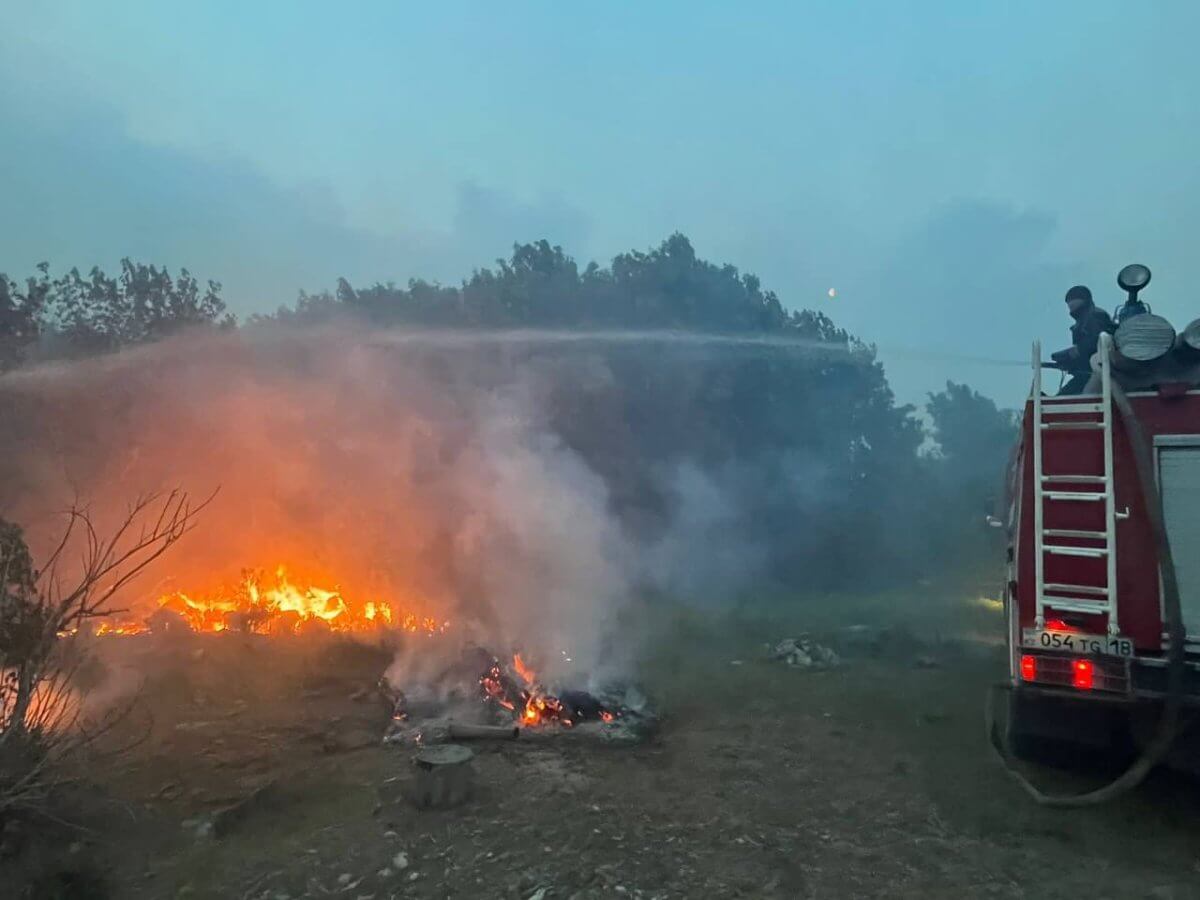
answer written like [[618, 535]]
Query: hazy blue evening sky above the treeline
[[950, 167]]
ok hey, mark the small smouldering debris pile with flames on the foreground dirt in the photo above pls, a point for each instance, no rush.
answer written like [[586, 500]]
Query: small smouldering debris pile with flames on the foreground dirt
[[483, 697]]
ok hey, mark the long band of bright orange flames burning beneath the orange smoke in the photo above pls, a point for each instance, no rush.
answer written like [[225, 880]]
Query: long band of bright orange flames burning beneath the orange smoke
[[266, 605]]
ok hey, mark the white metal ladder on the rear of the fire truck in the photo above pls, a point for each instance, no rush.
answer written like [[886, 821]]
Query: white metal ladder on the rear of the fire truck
[[1093, 416]]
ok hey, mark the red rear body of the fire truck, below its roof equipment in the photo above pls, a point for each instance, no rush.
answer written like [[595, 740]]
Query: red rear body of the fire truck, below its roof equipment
[[1084, 602]]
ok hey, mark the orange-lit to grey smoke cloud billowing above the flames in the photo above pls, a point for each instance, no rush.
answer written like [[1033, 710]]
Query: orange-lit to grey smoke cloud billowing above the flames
[[428, 475]]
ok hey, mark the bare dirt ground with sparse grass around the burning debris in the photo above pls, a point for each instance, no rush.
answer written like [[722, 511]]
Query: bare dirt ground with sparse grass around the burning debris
[[872, 779]]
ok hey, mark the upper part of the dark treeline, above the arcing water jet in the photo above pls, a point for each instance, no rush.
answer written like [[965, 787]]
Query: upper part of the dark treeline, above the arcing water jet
[[539, 286]]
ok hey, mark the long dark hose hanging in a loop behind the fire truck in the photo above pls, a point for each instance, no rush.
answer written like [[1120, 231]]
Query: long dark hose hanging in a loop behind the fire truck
[[1169, 722]]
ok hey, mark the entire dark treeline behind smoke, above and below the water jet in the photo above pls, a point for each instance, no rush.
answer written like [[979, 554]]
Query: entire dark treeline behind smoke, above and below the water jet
[[824, 478]]
